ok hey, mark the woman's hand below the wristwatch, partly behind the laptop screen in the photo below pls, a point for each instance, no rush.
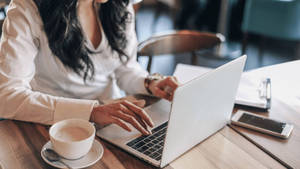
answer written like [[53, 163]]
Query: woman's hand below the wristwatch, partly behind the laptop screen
[[164, 88]]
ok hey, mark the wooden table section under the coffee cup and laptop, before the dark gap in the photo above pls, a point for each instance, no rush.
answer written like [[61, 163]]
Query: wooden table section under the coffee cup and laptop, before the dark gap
[[21, 143]]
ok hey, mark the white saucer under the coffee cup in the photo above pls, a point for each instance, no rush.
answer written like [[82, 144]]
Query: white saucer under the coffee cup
[[89, 159]]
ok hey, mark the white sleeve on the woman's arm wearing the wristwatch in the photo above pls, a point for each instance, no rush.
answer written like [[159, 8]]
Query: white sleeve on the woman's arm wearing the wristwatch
[[131, 76]]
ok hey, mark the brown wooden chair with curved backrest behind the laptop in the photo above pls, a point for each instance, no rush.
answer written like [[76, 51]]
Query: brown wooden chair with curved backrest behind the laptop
[[178, 42]]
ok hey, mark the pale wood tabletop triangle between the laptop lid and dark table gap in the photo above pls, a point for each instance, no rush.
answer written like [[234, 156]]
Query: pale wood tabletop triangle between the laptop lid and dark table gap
[[225, 149]]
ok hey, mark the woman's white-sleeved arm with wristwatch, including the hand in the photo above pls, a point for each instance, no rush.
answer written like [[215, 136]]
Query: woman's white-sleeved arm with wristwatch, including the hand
[[133, 79]]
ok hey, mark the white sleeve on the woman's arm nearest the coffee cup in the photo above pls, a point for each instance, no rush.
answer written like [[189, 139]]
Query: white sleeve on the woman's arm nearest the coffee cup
[[18, 49]]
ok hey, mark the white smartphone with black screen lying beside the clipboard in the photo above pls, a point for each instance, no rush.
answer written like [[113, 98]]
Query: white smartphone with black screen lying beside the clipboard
[[262, 124]]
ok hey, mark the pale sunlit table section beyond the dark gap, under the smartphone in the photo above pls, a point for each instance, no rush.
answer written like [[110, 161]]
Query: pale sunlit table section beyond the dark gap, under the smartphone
[[285, 107]]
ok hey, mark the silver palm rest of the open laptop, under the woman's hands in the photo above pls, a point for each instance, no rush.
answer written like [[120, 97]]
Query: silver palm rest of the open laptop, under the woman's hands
[[159, 113]]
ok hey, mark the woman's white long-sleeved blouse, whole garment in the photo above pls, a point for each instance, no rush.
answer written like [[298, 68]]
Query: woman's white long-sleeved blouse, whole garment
[[34, 84]]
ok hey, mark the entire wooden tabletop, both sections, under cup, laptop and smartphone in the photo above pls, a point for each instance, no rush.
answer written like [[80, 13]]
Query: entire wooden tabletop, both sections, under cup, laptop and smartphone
[[21, 142]]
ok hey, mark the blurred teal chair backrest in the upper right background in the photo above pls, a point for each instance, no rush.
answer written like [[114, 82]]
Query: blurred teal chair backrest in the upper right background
[[273, 18]]
